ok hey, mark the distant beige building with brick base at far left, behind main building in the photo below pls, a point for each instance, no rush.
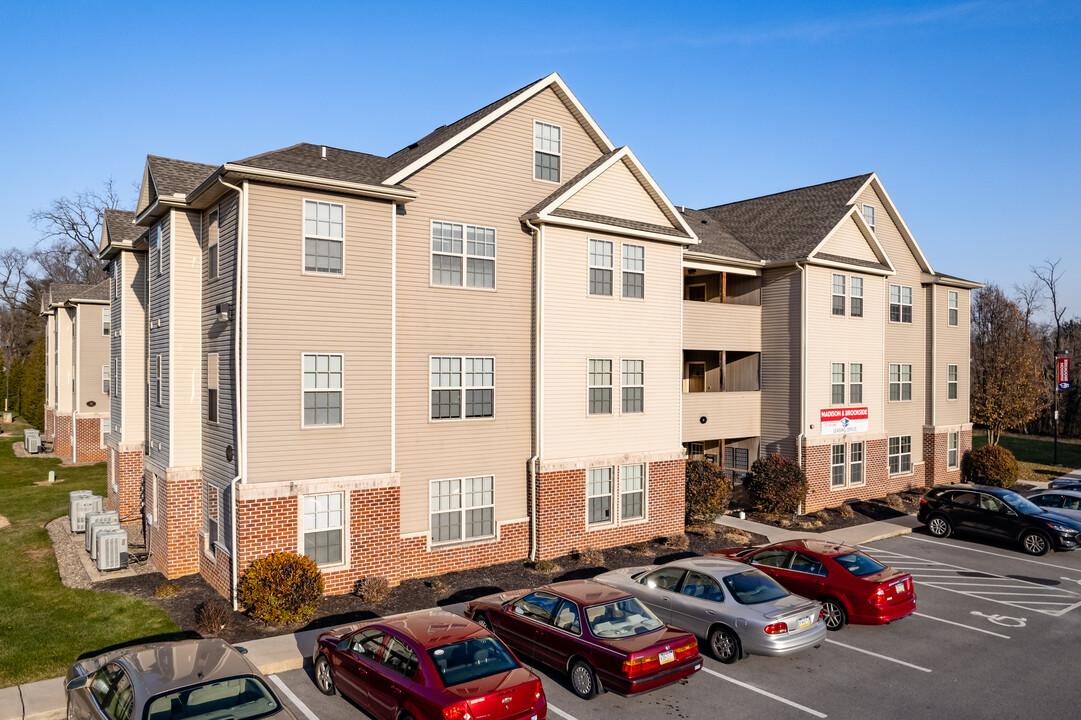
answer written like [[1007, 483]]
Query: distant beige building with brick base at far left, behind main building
[[77, 378]]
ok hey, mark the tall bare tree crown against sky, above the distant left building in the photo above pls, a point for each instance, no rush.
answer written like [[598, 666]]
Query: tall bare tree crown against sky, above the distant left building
[[68, 250]]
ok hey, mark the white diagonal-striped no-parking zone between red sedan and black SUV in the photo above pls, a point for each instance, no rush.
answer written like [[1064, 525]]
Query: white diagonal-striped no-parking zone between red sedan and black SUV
[[1025, 595]]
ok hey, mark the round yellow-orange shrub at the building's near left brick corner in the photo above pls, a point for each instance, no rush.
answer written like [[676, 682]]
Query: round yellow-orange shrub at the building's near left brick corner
[[282, 589]]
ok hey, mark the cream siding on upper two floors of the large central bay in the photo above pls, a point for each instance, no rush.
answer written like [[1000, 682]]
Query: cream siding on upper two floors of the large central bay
[[579, 328]]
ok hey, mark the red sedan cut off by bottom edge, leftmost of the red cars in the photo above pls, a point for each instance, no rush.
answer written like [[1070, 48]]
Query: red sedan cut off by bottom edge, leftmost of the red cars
[[429, 666]]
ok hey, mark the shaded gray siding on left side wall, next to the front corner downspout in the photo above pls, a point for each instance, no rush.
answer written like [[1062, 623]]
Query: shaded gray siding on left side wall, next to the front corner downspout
[[218, 338]]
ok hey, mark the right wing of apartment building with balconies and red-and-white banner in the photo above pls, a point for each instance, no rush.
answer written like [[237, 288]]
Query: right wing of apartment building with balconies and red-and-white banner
[[843, 349]]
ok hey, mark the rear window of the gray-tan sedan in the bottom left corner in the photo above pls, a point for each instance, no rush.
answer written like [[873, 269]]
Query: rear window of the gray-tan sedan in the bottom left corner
[[239, 699]]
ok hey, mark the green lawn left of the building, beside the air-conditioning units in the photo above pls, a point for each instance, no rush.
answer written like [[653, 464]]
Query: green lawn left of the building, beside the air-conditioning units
[[46, 626]]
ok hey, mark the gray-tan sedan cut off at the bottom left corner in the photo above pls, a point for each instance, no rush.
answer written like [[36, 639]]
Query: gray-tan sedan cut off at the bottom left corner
[[189, 681]]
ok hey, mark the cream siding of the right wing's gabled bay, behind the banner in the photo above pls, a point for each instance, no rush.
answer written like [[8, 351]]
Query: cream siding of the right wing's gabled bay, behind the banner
[[835, 339]]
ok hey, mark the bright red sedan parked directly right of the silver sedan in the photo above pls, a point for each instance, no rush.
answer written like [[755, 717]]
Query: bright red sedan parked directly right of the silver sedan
[[851, 586]]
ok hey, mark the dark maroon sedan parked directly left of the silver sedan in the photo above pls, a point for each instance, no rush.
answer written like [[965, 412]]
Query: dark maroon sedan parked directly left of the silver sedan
[[604, 638]]
